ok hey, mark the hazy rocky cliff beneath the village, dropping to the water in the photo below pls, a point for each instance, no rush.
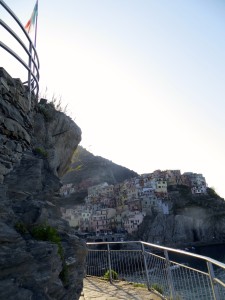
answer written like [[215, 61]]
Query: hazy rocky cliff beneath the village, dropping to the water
[[193, 220]]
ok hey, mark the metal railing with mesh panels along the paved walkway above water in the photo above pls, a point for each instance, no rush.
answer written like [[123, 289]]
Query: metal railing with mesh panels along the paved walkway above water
[[176, 274]]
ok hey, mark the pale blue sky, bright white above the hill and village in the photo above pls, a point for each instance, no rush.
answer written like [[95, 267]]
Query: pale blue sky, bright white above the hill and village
[[143, 79]]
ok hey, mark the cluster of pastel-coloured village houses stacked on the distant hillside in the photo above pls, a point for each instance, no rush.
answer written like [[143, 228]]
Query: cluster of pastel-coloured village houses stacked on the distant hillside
[[121, 208]]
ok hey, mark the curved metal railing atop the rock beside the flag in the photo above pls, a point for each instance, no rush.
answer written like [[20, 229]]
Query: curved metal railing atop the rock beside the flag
[[32, 66]]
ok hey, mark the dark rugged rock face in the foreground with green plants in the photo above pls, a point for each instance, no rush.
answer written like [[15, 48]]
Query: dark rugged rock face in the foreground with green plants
[[39, 257]]
